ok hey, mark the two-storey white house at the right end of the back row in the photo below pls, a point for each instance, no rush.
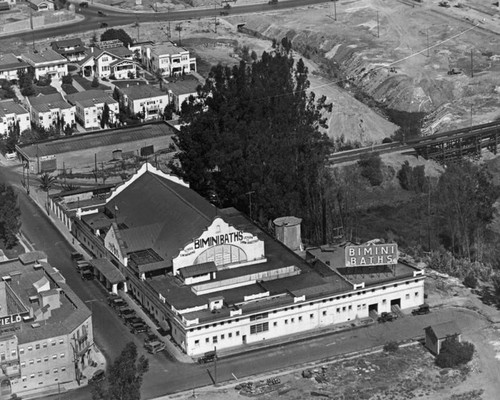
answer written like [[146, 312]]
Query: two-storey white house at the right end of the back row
[[167, 58]]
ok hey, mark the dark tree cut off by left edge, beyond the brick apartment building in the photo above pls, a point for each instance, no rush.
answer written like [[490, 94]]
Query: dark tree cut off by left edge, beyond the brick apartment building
[[9, 216]]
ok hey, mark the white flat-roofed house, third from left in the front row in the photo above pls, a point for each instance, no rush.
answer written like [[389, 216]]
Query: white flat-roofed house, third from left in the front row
[[89, 106]]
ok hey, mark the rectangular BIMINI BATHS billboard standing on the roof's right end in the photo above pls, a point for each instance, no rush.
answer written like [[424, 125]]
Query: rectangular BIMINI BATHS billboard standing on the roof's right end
[[373, 254]]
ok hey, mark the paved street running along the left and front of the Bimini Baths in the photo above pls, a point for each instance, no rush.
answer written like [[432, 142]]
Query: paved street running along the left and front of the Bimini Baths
[[169, 376]]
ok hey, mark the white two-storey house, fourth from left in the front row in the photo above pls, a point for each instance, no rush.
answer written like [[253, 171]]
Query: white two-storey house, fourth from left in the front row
[[145, 100]]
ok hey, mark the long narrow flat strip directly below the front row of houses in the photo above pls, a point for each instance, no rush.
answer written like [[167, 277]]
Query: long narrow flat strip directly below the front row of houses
[[96, 139]]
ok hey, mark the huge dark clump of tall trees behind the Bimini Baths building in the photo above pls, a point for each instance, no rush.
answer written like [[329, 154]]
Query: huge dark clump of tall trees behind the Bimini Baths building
[[253, 137]]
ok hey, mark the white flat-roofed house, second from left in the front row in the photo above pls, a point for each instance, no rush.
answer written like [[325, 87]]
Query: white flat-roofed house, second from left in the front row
[[50, 110]]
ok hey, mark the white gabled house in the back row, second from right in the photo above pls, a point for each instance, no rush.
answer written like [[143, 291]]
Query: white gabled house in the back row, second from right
[[116, 62]]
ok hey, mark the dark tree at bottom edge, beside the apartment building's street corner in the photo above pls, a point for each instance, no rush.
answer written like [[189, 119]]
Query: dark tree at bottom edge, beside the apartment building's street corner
[[124, 377]]
